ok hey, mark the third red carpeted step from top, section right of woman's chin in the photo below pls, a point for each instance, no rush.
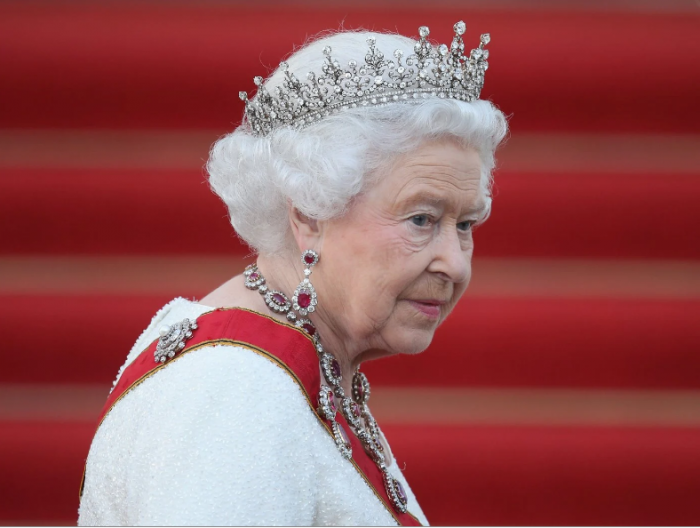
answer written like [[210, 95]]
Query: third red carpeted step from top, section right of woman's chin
[[562, 343]]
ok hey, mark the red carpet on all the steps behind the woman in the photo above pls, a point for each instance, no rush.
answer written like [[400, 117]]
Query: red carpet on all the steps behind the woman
[[139, 67]]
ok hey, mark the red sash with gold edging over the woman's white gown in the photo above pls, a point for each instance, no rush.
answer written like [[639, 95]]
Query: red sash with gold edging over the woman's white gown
[[294, 352]]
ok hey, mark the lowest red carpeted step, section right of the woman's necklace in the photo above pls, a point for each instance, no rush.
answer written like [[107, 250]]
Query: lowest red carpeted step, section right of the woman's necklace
[[592, 476]]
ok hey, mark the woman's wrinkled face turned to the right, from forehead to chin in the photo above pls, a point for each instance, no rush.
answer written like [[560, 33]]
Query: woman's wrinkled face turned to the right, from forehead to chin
[[395, 265]]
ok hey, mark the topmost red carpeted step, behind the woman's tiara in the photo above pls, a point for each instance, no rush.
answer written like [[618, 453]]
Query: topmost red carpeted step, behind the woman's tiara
[[157, 65]]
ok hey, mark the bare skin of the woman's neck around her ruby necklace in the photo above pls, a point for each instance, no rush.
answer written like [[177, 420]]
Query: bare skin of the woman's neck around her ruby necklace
[[285, 274]]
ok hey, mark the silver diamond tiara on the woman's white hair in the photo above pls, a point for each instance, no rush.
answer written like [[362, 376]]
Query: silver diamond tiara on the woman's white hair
[[431, 71]]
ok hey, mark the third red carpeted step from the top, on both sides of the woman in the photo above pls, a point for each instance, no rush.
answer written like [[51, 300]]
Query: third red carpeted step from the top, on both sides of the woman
[[486, 342]]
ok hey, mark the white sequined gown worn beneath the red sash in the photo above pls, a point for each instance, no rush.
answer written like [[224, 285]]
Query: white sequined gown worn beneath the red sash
[[221, 437]]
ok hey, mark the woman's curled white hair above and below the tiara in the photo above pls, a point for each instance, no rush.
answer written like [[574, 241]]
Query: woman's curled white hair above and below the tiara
[[319, 169]]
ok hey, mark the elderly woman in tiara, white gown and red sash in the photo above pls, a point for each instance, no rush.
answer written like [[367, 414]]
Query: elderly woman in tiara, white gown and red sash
[[361, 168]]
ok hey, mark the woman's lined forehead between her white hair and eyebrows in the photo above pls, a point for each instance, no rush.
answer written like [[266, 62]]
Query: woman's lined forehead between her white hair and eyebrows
[[440, 171]]
